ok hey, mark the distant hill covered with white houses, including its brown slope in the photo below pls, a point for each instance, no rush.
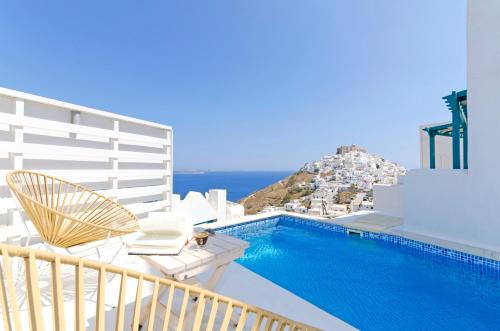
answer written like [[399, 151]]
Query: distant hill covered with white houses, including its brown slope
[[332, 186]]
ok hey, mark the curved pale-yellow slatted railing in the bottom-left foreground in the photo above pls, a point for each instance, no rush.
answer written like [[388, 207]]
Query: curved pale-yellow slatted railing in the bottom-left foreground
[[43, 291]]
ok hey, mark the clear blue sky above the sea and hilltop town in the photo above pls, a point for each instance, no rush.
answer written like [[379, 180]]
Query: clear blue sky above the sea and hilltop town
[[247, 85]]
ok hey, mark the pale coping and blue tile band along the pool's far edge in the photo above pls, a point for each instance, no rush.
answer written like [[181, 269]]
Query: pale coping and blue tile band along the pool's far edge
[[468, 255]]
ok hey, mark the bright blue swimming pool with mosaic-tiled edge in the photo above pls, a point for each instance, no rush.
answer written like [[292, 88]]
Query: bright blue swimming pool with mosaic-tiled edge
[[374, 283]]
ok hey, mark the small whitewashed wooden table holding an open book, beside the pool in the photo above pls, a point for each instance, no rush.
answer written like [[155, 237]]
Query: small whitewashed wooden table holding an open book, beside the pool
[[193, 260]]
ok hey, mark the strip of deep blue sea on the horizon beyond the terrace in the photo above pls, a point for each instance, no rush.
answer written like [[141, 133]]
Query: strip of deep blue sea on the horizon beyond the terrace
[[238, 184]]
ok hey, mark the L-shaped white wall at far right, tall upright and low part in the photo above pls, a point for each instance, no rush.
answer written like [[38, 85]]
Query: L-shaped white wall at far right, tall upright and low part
[[463, 205]]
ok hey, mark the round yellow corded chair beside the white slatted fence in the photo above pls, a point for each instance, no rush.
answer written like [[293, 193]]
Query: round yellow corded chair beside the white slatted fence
[[67, 214]]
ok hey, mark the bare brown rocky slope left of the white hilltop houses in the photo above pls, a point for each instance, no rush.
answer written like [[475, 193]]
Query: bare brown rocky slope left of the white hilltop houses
[[277, 194]]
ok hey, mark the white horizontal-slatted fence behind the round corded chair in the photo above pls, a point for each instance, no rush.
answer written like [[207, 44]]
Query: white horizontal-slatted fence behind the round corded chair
[[124, 158]]
